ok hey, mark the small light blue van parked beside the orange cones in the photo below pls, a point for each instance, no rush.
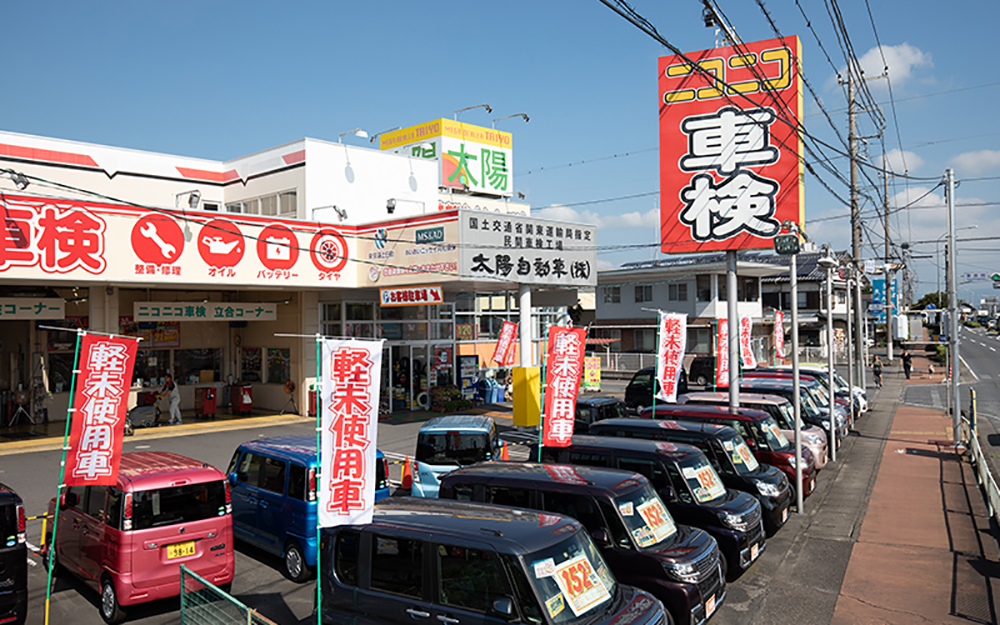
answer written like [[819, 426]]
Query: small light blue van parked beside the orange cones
[[446, 443]]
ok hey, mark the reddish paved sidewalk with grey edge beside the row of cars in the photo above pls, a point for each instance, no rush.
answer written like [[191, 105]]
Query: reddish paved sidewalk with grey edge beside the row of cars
[[896, 532]]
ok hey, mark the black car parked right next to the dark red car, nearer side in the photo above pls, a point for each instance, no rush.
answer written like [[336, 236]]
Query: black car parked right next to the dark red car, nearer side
[[728, 453]]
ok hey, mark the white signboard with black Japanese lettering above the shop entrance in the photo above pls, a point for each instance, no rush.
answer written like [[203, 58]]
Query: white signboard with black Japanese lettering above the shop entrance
[[527, 250]]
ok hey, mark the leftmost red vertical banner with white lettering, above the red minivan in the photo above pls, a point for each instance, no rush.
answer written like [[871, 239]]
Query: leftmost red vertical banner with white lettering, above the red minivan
[[100, 403]]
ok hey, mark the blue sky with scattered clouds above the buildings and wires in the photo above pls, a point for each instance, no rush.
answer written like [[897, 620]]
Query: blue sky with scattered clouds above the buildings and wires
[[218, 80]]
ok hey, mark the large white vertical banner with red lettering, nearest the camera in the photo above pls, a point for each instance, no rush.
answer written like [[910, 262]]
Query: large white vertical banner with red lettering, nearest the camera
[[351, 372]]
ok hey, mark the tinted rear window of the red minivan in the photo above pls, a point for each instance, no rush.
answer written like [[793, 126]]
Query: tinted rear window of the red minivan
[[178, 504]]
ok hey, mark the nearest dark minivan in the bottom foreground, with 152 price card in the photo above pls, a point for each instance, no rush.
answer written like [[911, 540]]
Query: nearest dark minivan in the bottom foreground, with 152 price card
[[424, 560]]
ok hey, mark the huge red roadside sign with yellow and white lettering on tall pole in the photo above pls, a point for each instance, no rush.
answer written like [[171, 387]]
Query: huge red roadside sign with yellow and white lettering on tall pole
[[731, 164]]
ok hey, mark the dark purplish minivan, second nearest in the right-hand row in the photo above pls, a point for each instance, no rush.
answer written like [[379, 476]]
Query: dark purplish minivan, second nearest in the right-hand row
[[678, 564]]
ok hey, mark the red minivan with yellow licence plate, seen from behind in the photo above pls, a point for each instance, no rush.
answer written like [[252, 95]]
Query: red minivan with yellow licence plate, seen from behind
[[128, 541]]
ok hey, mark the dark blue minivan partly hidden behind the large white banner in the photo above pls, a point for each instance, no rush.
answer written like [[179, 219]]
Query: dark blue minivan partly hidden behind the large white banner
[[273, 485]]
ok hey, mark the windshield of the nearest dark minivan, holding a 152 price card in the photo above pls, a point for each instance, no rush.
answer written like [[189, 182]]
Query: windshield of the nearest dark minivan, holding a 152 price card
[[571, 578]]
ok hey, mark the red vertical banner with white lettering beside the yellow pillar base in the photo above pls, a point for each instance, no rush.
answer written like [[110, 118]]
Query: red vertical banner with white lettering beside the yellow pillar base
[[562, 383]]
